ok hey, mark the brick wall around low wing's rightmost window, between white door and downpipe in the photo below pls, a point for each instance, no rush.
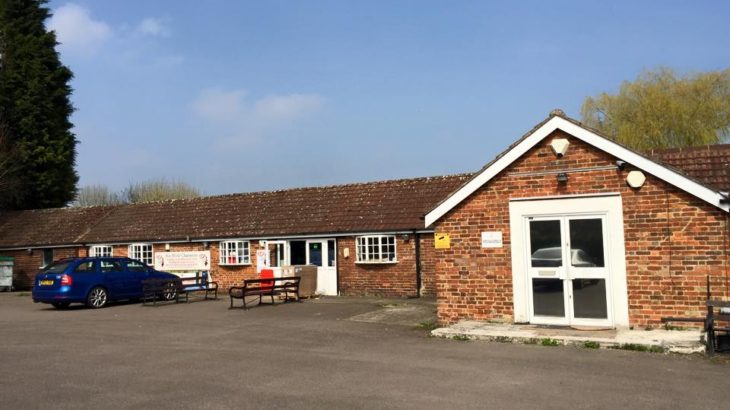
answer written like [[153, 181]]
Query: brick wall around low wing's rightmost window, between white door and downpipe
[[388, 279]]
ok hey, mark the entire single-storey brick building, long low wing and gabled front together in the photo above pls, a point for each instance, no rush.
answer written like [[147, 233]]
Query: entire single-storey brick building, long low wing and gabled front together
[[565, 227]]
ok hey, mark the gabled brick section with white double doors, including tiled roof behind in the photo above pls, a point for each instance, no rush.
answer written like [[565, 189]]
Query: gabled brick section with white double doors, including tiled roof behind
[[567, 227]]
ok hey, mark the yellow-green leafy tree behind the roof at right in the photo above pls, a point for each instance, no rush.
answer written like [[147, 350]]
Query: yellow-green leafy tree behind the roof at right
[[662, 110]]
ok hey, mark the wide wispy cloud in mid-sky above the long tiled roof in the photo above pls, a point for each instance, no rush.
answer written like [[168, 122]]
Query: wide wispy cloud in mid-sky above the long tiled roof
[[242, 120]]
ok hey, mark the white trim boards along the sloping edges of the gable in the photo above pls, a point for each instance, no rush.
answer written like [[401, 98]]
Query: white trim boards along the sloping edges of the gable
[[639, 161]]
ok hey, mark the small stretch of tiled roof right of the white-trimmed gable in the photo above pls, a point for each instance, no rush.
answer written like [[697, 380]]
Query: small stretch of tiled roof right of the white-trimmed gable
[[709, 164]]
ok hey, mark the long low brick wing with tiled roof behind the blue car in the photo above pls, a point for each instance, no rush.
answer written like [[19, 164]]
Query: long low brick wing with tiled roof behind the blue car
[[366, 239]]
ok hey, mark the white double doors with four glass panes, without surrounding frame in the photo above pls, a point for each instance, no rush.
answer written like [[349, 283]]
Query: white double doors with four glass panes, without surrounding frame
[[568, 274]]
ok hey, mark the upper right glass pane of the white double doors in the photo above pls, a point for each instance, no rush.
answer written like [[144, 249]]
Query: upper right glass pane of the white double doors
[[586, 243]]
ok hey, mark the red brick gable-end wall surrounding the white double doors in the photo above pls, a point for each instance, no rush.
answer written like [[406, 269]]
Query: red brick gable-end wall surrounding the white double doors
[[673, 240]]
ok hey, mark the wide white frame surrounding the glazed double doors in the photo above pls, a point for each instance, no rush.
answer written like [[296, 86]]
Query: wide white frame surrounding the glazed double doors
[[608, 205]]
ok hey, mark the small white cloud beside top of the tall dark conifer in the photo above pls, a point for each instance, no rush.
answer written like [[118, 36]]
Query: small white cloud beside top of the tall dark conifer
[[77, 31]]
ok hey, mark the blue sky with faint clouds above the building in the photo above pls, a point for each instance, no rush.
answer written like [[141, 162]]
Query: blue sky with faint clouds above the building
[[241, 96]]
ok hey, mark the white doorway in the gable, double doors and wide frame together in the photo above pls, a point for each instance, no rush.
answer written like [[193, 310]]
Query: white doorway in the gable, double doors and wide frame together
[[568, 262]]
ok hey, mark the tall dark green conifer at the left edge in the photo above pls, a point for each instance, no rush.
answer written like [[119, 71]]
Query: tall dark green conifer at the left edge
[[34, 101]]
